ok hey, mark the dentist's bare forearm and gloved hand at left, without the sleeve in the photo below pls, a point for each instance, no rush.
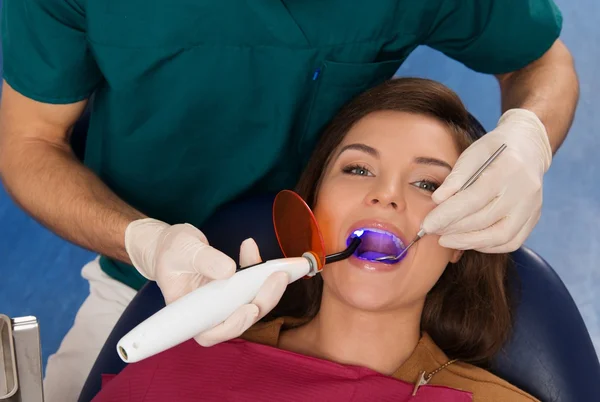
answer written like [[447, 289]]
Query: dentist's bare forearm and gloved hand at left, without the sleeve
[[41, 173]]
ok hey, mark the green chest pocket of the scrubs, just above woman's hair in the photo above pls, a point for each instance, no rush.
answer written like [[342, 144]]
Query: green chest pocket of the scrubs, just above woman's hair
[[335, 85]]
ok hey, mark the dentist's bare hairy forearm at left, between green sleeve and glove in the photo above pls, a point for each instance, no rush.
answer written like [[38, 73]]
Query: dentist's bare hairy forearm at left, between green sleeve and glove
[[43, 176]]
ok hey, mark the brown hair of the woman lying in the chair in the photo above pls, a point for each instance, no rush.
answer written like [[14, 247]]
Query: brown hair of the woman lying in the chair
[[468, 311]]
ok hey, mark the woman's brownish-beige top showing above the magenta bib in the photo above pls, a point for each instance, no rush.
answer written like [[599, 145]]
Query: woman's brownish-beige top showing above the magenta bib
[[427, 357]]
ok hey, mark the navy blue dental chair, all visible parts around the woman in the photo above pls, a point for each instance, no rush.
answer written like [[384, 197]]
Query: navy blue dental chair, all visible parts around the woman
[[550, 355]]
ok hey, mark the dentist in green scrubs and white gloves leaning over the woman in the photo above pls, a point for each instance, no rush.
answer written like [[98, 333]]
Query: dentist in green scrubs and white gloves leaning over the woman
[[199, 103]]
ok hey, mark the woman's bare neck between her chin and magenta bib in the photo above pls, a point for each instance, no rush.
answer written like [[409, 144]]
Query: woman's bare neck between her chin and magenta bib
[[381, 341]]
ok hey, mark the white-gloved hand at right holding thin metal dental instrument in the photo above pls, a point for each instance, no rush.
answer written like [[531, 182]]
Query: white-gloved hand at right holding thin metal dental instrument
[[497, 212]]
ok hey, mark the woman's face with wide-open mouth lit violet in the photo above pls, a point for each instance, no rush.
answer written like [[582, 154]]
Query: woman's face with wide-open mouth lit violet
[[381, 177]]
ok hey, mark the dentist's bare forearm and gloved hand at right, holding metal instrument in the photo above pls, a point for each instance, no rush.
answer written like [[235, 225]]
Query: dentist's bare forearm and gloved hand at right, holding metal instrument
[[499, 211]]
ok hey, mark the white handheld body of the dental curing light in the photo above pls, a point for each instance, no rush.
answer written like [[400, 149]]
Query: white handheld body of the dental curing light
[[205, 308]]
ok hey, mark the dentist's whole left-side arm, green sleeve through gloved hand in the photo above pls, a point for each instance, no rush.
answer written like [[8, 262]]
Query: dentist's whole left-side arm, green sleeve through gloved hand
[[47, 56]]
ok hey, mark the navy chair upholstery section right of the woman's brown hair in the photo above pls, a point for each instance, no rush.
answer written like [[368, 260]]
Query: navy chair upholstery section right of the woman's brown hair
[[551, 354]]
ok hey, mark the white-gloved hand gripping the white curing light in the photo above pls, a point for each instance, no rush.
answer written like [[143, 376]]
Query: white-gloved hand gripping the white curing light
[[180, 260]]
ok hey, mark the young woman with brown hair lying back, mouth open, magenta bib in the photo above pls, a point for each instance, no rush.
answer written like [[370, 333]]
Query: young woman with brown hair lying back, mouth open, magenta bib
[[423, 327]]
